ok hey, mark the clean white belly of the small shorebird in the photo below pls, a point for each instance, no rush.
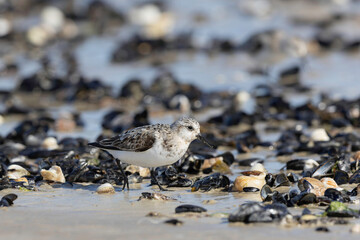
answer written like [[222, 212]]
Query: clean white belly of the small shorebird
[[148, 158]]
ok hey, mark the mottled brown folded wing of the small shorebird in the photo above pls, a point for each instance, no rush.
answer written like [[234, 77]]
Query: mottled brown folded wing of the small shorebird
[[136, 140]]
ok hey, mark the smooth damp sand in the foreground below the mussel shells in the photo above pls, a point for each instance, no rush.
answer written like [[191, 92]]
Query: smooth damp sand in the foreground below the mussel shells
[[53, 212]]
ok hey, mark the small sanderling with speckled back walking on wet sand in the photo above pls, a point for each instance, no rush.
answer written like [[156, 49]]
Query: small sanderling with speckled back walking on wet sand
[[152, 145]]
